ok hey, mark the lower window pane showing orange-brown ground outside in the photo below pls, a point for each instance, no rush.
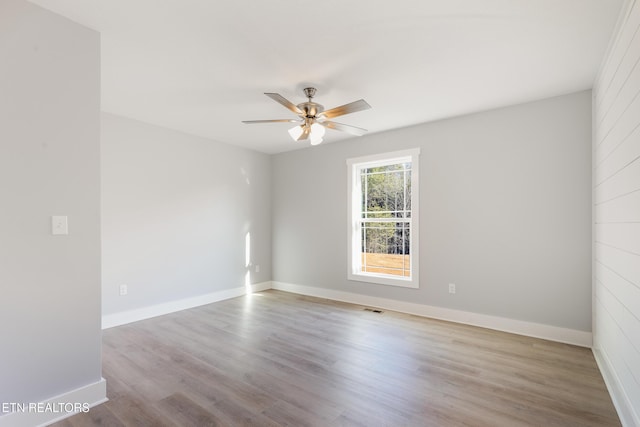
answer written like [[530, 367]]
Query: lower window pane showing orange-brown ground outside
[[385, 248]]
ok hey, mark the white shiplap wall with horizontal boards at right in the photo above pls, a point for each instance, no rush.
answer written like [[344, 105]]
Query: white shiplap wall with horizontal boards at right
[[616, 197]]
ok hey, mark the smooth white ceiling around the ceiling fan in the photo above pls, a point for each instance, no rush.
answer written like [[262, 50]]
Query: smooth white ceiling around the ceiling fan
[[201, 66]]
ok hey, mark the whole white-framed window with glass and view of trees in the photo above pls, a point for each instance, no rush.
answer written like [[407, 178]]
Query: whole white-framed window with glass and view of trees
[[383, 218]]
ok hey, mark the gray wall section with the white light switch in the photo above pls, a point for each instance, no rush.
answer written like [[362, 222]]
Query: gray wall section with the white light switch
[[49, 165]]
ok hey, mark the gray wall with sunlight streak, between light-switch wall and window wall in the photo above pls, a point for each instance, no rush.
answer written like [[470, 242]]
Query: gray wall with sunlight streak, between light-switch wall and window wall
[[176, 209]]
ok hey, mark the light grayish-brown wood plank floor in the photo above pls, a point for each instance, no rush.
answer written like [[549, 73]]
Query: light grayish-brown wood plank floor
[[275, 359]]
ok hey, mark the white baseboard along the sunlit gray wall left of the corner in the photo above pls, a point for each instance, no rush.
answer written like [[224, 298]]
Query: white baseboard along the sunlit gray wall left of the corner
[[130, 316]]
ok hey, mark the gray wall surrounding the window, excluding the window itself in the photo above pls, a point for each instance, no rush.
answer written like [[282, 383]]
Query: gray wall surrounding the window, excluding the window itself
[[505, 212]]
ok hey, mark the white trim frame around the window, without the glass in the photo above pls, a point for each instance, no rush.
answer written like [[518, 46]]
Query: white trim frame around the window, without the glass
[[353, 203]]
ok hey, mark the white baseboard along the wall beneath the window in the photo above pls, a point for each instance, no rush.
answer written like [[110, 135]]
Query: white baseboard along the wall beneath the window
[[537, 330]]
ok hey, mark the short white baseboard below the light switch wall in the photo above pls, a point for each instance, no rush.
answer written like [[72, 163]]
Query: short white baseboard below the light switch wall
[[55, 409]]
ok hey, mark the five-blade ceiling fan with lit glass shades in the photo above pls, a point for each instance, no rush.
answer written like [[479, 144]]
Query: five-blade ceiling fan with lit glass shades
[[313, 118]]
